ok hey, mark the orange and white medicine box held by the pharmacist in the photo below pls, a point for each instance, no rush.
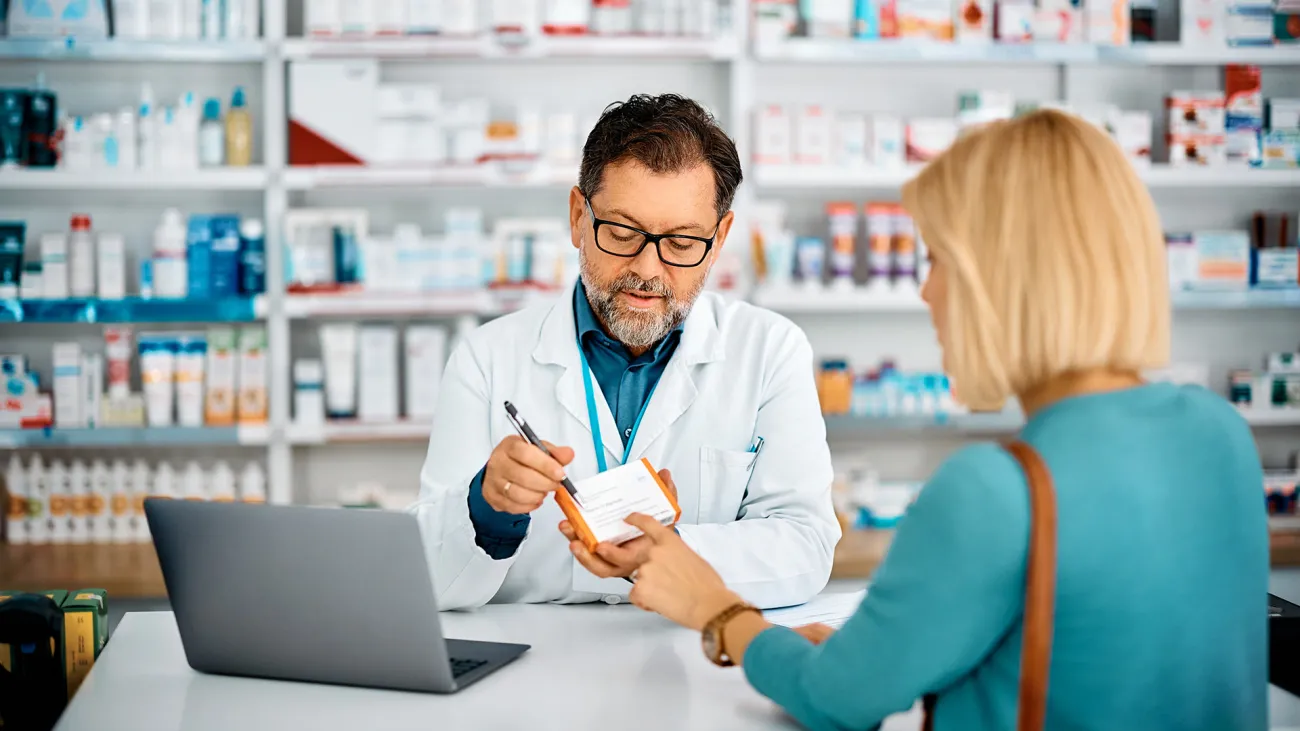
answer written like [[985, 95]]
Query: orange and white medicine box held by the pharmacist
[[614, 495]]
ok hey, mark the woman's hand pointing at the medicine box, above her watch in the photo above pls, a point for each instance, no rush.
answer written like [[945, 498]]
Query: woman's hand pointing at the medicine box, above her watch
[[675, 582]]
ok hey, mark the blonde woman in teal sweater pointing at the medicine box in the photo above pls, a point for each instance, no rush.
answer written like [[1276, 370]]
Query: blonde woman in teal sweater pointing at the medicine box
[[1047, 286]]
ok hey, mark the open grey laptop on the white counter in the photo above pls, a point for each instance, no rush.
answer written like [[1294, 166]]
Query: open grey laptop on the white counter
[[311, 594]]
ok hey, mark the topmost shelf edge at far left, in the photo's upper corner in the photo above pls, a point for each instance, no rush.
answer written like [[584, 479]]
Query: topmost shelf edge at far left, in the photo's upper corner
[[141, 51]]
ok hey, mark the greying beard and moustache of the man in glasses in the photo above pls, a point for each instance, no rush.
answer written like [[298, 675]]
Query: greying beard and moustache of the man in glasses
[[636, 328]]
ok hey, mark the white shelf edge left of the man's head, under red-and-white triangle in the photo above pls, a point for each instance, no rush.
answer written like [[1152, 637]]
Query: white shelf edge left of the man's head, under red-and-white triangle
[[466, 176]]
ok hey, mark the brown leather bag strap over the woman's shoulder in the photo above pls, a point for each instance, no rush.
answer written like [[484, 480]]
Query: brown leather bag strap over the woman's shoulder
[[1039, 595]]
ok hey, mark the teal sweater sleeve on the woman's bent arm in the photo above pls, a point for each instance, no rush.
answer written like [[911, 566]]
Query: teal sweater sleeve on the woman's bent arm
[[947, 594]]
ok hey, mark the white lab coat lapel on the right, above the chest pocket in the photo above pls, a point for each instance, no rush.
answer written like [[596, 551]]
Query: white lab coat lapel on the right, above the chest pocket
[[701, 343]]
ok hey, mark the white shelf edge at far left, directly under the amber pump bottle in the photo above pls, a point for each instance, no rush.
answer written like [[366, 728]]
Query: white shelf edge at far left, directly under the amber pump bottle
[[209, 179]]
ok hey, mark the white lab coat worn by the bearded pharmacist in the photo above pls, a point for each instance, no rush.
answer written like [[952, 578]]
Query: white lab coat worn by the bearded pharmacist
[[739, 373]]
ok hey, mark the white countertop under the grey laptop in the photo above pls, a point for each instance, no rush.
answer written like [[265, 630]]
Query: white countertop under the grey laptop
[[592, 667]]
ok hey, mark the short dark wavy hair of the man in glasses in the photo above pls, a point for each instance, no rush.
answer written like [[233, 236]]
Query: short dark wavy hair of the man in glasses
[[668, 135]]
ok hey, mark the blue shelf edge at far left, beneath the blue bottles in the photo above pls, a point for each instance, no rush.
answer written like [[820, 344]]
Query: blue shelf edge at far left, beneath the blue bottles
[[135, 310]]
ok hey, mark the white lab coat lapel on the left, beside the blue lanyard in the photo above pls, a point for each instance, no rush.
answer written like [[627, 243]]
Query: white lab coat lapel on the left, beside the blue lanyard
[[558, 347]]
